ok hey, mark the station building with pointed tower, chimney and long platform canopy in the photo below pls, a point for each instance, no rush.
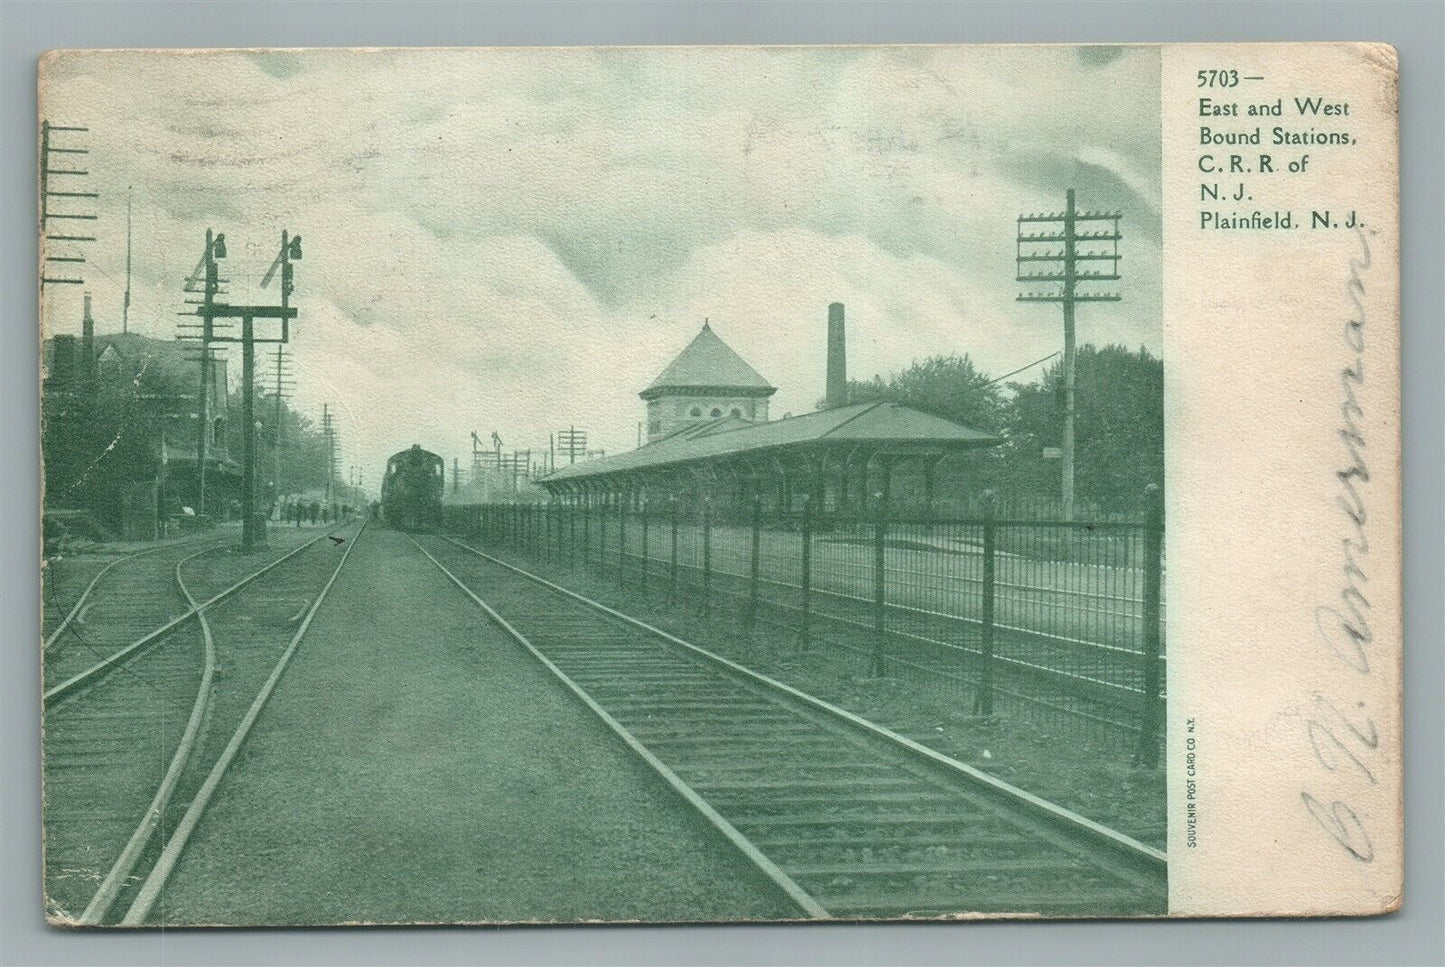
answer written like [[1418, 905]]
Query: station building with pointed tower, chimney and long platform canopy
[[709, 437]]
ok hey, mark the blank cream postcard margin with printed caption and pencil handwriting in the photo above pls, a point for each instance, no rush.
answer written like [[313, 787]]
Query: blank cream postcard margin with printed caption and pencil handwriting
[[1282, 405]]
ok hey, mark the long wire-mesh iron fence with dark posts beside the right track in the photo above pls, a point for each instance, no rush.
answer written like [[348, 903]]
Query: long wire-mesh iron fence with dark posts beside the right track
[[1061, 619]]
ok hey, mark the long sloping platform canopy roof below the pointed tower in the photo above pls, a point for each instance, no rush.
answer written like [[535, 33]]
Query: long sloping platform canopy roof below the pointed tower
[[878, 427]]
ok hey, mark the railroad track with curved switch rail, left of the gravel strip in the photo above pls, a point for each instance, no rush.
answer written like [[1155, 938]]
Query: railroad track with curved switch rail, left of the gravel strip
[[178, 705]]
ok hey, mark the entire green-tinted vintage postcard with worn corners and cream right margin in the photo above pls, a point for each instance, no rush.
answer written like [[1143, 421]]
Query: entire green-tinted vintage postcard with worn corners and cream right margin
[[683, 485]]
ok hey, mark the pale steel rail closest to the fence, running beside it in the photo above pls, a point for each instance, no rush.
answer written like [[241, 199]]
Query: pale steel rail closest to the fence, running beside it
[[1139, 856]]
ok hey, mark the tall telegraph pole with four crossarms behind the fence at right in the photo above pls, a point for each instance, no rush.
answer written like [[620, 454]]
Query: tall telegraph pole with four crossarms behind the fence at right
[[1041, 261]]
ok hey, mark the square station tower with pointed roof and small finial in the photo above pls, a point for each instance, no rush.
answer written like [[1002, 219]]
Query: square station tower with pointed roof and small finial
[[709, 381]]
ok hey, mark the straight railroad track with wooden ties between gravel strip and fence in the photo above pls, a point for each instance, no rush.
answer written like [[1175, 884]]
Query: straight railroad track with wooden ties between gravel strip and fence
[[847, 819]]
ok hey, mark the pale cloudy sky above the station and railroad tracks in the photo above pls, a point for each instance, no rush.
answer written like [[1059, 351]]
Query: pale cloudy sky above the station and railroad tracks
[[522, 239]]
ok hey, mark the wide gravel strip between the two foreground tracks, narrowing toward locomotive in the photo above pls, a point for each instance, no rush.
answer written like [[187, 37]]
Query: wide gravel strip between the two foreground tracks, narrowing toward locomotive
[[415, 765]]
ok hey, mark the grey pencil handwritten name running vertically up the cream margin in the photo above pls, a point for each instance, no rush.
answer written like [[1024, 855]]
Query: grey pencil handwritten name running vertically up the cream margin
[[1345, 739]]
